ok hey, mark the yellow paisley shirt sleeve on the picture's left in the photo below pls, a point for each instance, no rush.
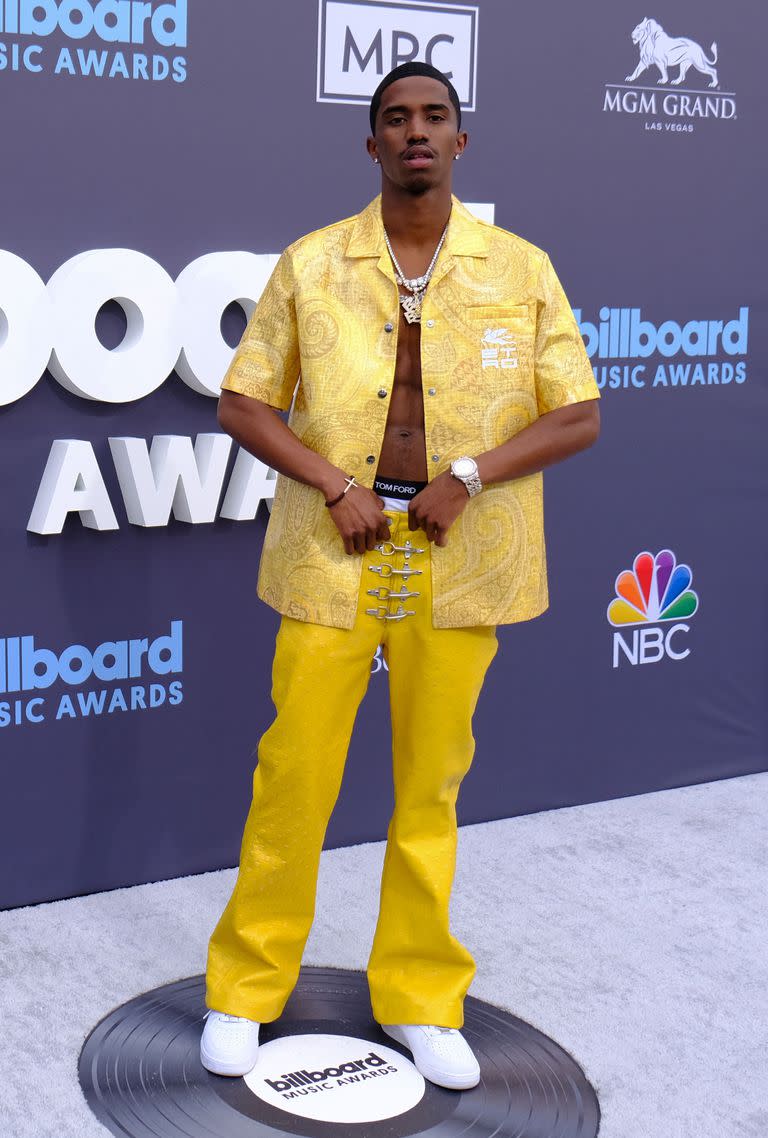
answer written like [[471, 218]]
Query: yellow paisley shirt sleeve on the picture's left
[[266, 365]]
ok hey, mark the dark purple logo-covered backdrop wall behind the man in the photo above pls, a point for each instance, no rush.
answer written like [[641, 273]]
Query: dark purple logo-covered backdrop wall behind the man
[[156, 159]]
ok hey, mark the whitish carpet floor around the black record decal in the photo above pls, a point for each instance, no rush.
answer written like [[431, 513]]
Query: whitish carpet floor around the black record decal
[[633, 933]]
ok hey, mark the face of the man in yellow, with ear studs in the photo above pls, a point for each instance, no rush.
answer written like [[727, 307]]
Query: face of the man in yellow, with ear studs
[[417, 135]]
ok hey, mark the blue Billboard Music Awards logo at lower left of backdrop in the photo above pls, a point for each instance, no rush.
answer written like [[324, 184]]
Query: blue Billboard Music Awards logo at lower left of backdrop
[[27, 667]]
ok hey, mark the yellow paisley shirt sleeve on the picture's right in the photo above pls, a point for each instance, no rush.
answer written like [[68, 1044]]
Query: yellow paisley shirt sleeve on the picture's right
[[563, 369]]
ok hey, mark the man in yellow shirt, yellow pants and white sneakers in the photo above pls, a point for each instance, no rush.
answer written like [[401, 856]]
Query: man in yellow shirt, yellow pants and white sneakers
[[440, 369]]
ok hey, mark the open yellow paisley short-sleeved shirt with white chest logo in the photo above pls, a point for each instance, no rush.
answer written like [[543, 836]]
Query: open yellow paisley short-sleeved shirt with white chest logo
[[500, 348]]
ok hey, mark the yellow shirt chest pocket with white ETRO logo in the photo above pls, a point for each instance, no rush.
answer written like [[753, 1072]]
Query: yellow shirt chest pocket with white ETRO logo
[[505, 339]]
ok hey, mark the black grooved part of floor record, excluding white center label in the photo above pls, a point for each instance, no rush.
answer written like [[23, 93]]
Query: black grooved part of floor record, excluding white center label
[[142, 1074]]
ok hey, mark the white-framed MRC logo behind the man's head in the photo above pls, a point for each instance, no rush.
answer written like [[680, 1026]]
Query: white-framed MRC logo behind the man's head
[[360, 42]]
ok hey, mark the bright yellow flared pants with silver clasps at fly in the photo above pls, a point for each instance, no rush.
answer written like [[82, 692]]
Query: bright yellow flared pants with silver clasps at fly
[[418, 972]]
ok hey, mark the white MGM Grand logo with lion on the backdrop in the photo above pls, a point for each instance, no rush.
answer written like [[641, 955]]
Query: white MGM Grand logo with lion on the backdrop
[[670, 60]]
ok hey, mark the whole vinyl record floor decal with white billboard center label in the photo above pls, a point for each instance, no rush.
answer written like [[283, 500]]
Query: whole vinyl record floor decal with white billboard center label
[[325, 1070]]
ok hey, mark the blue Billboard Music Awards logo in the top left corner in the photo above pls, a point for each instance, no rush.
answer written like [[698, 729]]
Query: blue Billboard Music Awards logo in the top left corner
[[126, 39]]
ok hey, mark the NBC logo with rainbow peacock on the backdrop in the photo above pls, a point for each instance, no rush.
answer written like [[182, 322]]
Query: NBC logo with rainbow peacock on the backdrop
[[656, 592]]
